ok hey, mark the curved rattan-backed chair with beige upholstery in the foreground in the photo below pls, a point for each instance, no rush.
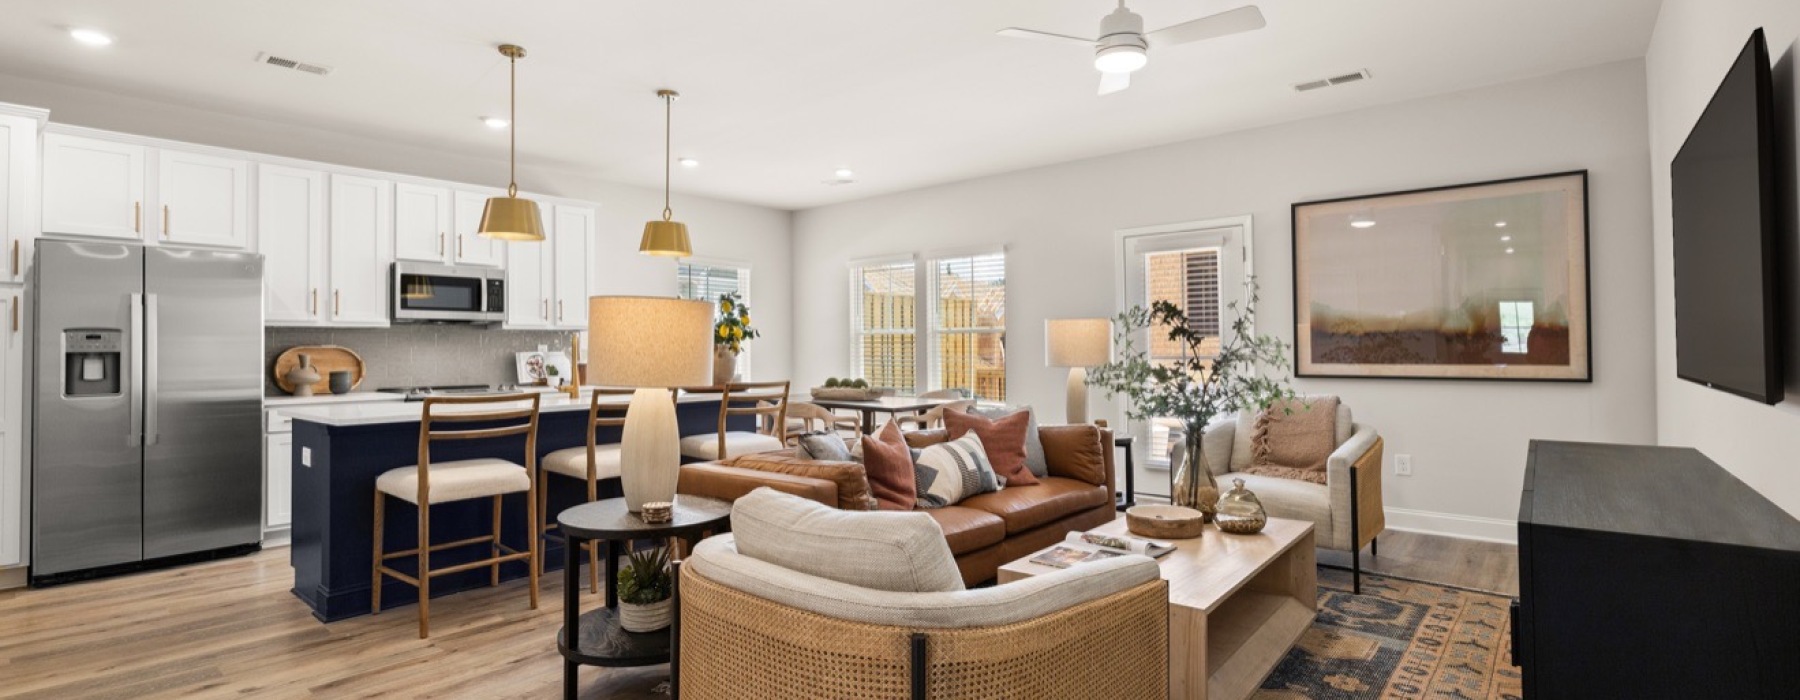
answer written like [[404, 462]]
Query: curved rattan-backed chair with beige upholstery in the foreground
[[757, 629]]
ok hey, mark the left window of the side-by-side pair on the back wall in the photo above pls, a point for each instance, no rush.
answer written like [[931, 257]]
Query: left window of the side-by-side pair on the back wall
[[885, 328]]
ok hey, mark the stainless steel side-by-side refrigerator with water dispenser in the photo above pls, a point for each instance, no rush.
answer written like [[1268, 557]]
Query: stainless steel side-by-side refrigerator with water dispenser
[[147, 408]]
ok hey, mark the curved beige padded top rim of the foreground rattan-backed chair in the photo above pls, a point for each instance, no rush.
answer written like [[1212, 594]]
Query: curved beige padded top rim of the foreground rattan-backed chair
[[721, 561]]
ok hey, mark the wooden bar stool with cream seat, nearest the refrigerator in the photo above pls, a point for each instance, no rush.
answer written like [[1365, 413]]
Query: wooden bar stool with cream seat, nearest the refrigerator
[[467, 480]]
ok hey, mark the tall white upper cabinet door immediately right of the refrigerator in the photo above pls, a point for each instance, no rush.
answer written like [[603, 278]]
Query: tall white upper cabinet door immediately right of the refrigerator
[[291, 233]]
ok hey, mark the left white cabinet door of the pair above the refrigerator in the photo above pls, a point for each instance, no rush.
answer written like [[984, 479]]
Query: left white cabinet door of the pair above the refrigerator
[[93, 188]]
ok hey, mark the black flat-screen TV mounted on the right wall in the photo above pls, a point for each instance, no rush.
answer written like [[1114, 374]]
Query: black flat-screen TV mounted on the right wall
[[1727, 238]]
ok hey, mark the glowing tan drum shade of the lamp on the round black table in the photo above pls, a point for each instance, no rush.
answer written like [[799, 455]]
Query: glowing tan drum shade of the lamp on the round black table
[[649, 343]]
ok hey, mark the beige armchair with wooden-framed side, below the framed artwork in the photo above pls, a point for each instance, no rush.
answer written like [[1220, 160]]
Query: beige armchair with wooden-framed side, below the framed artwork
[[1345, 512]]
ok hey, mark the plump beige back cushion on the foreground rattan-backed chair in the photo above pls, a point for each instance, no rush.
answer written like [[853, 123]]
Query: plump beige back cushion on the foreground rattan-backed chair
[[872, 550]]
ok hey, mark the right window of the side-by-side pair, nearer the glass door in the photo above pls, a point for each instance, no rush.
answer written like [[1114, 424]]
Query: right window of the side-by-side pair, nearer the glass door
[[969, 325]]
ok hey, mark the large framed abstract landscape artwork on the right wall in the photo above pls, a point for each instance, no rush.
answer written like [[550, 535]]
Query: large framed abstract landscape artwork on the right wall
[[1484, 282]]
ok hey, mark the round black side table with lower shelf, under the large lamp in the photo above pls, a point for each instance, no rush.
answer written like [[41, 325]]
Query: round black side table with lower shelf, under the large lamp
[[597, 636]]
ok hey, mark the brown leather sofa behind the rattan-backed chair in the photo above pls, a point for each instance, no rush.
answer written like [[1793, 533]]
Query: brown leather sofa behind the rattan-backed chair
[[984, 532]]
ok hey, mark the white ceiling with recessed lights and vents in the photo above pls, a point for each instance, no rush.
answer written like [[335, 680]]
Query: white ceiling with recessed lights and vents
[[782, 93]]
